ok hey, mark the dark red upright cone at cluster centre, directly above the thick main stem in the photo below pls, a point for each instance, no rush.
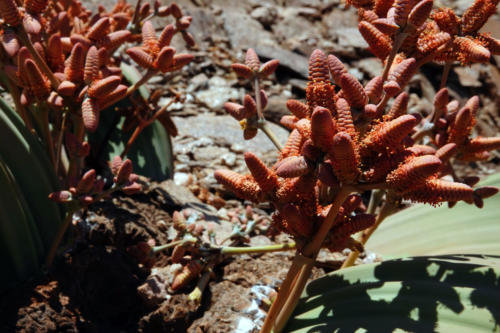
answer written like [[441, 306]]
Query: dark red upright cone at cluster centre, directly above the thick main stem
[[345, 157]]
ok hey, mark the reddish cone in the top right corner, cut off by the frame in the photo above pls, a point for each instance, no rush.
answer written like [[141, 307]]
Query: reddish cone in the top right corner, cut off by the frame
[[476, 15]]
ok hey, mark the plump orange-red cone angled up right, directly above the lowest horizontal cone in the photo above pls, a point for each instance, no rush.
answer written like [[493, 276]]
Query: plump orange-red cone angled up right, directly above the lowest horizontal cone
[[413, 172]]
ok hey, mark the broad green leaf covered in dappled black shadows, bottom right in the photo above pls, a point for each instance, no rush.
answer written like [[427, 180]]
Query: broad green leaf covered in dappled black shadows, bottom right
[[453, 293]]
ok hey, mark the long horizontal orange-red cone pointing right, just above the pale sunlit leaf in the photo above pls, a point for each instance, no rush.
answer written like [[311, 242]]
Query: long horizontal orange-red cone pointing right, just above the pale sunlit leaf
[[435, 191]]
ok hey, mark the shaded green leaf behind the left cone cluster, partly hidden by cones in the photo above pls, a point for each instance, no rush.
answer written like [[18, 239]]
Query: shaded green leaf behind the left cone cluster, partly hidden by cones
[[151, 153]]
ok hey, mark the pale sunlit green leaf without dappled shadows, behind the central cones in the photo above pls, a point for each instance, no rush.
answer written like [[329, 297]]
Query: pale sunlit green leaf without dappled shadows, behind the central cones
[[425, 230]]
